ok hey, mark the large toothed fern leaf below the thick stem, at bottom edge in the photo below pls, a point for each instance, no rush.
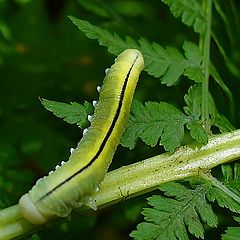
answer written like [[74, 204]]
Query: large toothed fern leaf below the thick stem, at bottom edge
[[172, 216]]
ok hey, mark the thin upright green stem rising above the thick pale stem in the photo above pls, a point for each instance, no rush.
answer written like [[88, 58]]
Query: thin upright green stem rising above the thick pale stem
[[207, 9]]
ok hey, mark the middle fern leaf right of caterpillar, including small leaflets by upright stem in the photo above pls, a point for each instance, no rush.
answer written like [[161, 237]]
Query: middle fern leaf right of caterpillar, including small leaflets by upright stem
[[153, 123]]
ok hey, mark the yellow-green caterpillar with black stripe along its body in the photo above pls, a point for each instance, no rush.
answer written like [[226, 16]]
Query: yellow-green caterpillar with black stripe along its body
[[72, 183]]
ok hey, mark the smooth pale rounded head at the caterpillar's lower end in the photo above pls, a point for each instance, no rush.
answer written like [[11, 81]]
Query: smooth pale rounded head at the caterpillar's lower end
[[30, 211]]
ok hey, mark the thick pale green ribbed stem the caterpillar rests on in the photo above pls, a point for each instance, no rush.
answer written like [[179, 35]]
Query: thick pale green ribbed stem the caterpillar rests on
[[141, 177]]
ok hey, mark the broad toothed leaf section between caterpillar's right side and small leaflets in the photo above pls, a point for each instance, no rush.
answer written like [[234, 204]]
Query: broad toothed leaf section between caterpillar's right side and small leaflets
[[152, 122]]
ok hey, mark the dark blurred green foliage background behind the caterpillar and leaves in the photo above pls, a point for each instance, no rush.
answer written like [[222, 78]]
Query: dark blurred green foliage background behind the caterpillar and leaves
[[42, 54]]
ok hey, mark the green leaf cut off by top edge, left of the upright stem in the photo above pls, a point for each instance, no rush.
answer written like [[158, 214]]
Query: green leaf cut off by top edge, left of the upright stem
[[190, 12]]
